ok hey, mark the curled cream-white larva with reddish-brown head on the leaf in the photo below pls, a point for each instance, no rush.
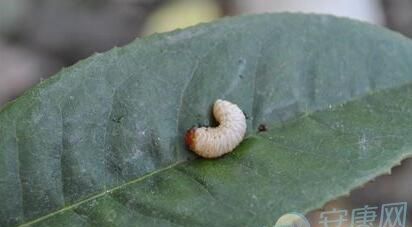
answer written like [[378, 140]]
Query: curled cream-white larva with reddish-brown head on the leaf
[[211, 142]]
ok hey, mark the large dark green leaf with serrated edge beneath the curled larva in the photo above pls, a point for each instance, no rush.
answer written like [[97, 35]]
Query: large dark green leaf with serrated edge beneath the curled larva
[[100, 144]]
